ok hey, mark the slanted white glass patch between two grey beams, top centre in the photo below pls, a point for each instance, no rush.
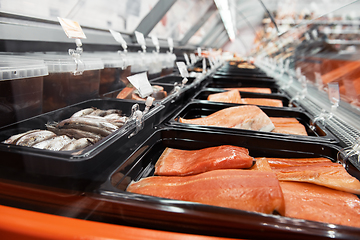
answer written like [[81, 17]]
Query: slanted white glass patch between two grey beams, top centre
[[180, 18]]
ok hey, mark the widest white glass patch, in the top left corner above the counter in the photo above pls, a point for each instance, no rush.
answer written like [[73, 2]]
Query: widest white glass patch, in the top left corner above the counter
[[123, 16]]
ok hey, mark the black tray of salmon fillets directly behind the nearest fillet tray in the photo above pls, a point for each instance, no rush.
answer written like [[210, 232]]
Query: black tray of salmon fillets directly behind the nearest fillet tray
[[200, 108]]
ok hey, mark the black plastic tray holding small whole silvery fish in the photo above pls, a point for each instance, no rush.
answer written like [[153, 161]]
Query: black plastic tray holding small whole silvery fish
[[71, 164]]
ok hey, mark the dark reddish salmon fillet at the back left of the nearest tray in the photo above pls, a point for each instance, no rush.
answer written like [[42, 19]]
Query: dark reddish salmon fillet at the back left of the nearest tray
[[176, 162]]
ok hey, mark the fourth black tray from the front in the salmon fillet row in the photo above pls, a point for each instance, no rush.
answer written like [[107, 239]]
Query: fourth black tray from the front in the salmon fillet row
[[244, 83]]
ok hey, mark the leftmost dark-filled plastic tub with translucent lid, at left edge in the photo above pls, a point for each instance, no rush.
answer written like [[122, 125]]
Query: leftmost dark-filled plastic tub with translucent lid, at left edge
[[21, 88]]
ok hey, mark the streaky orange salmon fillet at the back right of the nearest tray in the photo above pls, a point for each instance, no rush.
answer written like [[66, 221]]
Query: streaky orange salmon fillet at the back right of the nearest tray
[[320, 171]]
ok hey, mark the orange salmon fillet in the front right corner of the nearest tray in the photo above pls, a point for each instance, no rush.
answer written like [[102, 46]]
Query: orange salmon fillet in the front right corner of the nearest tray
[[316, 203]]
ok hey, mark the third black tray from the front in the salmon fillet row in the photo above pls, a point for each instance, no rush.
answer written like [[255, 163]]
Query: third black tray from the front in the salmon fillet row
[[203, 95]]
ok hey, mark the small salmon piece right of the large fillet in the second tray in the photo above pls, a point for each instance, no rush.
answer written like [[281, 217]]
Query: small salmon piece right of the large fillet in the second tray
[[288, 126]]
